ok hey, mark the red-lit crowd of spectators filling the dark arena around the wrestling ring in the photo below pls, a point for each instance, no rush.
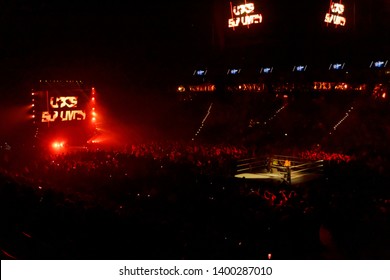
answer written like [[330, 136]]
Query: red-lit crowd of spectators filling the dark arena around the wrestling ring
[[180, 200]]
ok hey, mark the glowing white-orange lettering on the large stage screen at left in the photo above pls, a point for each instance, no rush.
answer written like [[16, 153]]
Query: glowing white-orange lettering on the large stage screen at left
[[61, 105]]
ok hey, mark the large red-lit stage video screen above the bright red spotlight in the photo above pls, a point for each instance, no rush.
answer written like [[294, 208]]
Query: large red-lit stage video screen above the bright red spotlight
[[64, 111]]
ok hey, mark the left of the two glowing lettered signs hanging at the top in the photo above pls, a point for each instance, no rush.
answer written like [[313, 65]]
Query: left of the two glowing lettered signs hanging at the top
[[243, 14]]
